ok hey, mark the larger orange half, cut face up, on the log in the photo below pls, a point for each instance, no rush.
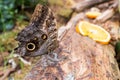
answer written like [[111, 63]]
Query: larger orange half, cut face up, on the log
[[93, 31]]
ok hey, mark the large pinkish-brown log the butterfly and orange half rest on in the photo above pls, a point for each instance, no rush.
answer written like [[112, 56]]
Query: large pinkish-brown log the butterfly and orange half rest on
[[85, 59]]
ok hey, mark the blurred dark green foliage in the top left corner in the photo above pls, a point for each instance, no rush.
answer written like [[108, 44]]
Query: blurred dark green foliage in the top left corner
[[9, 11]]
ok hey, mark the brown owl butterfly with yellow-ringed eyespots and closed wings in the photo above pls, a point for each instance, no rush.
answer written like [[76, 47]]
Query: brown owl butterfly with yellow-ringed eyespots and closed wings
[[40, 36]]
